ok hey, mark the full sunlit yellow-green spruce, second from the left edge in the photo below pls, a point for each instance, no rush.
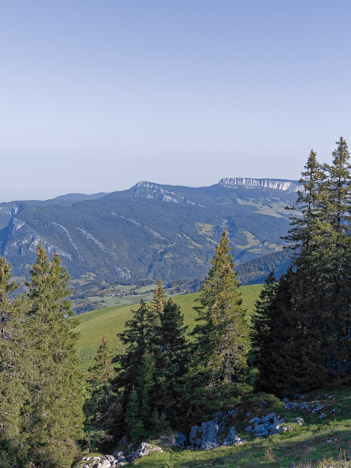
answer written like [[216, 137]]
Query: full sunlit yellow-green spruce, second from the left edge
[[56, 417]]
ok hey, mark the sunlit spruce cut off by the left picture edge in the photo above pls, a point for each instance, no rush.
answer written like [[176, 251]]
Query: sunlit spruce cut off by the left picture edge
[[15, 371]]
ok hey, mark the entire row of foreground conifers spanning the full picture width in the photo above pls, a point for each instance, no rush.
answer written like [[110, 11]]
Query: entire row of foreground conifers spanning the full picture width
[[164, 378]]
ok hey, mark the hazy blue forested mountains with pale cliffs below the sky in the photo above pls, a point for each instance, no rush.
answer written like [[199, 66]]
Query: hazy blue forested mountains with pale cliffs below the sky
[[153, 229]]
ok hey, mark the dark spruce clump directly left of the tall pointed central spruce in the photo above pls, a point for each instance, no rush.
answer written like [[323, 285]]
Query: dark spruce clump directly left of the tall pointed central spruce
[[147, 385]]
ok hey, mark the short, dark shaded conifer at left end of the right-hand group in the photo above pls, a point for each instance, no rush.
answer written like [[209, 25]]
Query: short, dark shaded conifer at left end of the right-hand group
[[277, 339]]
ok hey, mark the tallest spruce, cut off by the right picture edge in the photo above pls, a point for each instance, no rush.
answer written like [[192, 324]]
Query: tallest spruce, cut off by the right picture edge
[[335, 267]]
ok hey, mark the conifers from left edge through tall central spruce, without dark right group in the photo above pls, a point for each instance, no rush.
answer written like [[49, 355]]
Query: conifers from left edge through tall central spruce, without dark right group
[[160, 380]]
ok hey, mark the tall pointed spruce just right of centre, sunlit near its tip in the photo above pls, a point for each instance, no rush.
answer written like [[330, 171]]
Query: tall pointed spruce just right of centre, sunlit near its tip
[[221, 335]]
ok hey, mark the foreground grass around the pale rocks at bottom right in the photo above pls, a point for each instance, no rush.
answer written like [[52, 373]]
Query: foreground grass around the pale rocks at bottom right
[[319, 439]]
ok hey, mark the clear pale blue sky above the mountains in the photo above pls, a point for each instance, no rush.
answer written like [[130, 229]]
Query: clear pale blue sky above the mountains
[[98, 95]]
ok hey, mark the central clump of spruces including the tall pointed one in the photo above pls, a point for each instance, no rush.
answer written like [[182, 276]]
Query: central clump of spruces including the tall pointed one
[[162, 379]]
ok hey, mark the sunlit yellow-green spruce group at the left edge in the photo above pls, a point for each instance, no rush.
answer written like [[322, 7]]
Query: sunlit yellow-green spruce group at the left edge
[[41, 395]]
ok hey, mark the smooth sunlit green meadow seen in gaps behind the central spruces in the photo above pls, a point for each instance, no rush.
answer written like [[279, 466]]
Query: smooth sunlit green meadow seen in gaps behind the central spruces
[[110, 321]]
